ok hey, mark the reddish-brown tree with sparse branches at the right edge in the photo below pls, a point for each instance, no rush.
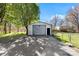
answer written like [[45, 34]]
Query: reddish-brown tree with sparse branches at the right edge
[[73, 17]]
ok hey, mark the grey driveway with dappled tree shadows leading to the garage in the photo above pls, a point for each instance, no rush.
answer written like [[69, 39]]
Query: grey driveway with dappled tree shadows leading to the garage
[[35, 46]]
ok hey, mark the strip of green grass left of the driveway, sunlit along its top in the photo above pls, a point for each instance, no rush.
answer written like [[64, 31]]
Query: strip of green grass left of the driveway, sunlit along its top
[[11, 36]]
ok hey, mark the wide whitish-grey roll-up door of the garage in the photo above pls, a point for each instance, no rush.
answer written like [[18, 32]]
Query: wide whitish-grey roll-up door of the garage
[[39, 30]]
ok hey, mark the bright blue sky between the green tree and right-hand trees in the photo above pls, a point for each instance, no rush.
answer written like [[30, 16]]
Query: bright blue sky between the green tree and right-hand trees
[[48, 10]]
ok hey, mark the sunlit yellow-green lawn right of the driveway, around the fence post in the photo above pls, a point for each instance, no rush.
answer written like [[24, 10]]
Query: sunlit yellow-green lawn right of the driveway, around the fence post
[[65, 38]]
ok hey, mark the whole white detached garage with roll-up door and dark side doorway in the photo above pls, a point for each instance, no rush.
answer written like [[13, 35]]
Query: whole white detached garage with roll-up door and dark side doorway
[[40, 28]]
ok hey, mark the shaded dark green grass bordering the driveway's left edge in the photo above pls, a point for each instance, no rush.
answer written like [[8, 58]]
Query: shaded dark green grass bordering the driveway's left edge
[[10, 38]]
